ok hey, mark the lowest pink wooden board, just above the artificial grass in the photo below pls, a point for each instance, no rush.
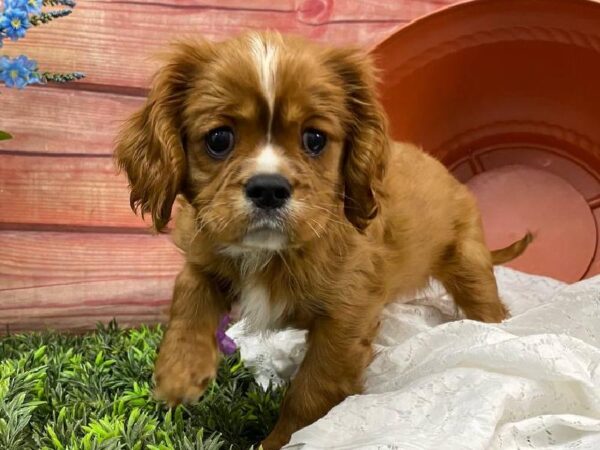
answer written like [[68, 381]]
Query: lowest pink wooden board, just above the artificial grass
[[65, 279]]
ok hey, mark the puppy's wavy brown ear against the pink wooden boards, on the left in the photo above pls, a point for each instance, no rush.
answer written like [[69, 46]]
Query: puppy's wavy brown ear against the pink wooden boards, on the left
[[149, 145]]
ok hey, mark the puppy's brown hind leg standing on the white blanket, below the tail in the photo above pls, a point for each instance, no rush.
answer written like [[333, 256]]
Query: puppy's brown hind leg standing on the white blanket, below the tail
[[467, 274]]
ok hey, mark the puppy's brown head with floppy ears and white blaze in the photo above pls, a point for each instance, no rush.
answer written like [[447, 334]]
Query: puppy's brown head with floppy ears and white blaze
[[269, 138]]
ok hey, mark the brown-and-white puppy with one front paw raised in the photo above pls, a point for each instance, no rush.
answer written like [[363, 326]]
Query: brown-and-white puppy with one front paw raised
[[296, 204]]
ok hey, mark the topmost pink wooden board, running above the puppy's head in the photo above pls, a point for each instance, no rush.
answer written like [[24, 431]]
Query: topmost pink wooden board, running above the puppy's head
[[113, 41]]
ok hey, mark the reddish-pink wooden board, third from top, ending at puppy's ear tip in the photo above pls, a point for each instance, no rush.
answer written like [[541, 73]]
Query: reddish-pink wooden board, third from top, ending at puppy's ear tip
[[65, 191]]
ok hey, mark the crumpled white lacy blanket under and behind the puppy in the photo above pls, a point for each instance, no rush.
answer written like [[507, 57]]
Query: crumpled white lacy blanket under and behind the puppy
[[443, 383]]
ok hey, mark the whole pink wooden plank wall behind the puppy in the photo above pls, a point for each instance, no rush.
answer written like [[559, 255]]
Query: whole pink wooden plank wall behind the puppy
[[71, 251]]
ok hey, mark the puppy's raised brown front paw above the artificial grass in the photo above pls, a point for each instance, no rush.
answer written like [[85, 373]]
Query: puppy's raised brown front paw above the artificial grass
[[186, 365]]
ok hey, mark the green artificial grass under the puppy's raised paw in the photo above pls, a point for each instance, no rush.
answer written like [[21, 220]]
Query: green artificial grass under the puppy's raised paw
[[94, 391]]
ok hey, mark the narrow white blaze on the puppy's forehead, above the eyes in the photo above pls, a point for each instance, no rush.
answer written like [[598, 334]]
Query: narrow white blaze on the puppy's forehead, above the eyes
[[265, 54]]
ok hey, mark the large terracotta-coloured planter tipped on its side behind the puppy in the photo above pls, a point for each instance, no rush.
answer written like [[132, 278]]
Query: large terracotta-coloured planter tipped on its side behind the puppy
[[507, 94]]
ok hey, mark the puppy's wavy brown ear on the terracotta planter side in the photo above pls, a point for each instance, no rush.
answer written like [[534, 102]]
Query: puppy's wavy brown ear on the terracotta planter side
[[367, 145]]
